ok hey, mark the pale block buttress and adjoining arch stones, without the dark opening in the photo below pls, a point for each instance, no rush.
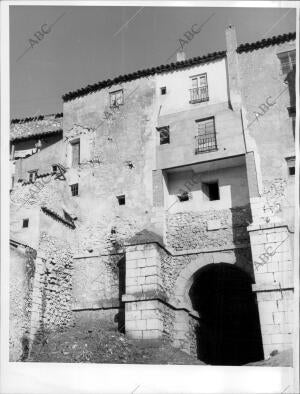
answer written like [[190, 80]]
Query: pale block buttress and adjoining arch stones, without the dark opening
[[157, 282]]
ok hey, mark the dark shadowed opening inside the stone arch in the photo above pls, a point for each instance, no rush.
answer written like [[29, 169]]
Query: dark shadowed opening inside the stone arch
[[229, 329]]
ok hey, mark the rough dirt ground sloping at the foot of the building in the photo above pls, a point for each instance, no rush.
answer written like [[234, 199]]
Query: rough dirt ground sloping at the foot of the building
[[79, 344]]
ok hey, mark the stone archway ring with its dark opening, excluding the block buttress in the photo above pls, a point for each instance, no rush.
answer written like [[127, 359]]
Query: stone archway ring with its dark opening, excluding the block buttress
[[217, 301]]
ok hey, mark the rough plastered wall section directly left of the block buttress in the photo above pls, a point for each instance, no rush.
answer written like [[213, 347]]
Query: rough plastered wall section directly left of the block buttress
[[98, 284]]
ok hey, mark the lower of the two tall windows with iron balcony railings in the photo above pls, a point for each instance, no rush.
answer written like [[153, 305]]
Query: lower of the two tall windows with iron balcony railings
[[206, 139]]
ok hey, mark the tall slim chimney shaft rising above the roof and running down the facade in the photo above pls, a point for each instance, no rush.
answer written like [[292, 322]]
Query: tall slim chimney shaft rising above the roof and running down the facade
[[233, 68]]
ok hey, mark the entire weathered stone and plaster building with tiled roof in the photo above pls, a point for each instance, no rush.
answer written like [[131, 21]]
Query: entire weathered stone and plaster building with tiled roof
[[165, 207]]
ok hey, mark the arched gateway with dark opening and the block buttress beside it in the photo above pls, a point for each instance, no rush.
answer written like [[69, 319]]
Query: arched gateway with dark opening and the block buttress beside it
[[208, 311]]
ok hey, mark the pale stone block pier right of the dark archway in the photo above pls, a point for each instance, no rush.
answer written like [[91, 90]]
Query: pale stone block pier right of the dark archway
[[274, 286]]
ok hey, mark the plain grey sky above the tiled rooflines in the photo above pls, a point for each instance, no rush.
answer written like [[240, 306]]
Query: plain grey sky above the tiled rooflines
[[86, 45]]
